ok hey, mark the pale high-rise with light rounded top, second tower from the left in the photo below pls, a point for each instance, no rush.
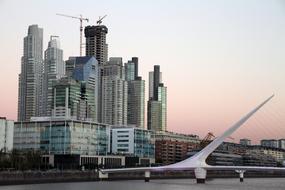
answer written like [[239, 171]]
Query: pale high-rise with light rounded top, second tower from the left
[[54, 69]]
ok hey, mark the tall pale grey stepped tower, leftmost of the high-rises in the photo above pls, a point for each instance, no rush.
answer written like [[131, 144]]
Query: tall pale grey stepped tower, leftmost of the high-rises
[[30, 78]]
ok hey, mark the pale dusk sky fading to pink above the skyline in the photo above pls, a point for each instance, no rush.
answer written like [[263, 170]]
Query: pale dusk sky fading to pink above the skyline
[[219, 58]]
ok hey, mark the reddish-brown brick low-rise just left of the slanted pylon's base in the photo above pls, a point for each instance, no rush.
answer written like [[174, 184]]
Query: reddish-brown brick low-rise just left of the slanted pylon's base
[[173, 147]]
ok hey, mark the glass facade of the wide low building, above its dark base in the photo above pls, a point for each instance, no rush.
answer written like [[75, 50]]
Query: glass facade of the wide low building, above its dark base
[[62, 137]]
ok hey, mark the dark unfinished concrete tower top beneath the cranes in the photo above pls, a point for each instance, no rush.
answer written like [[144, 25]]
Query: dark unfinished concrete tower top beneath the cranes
[[96, 42]]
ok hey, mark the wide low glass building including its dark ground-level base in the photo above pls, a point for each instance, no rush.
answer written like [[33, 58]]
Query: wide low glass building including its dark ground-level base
[[67, 143]]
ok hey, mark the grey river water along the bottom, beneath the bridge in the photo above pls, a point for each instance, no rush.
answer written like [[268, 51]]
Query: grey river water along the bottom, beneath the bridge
[[175, 184]]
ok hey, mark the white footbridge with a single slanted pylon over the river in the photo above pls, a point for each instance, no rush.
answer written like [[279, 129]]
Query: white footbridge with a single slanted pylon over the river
[[197, 163]]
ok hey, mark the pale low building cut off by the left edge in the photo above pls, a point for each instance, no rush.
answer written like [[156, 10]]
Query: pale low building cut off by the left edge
[[6, 134]]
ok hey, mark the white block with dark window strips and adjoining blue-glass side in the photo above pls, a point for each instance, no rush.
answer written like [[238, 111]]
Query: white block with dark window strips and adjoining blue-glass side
[[134, 143]]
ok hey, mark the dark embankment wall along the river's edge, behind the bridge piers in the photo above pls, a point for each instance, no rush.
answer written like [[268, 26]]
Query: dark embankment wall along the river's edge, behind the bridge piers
[[31, 177]]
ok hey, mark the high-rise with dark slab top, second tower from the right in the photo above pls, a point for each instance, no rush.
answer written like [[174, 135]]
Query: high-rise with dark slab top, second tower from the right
[[136, 94]]
